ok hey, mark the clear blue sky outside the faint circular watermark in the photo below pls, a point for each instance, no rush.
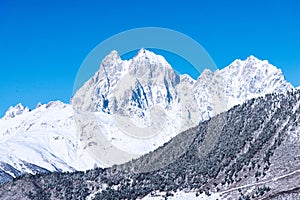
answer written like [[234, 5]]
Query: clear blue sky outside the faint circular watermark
[[43, 43]]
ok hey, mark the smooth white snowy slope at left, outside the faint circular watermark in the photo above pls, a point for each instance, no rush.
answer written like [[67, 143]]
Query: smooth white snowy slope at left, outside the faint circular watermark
[[45, 137]]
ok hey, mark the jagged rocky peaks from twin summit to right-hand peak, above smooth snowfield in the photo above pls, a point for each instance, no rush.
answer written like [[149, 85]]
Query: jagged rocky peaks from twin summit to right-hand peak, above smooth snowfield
[[148, 80]]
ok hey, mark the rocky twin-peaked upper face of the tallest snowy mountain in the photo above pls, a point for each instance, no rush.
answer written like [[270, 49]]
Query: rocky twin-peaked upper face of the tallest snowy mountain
[[133, 87]]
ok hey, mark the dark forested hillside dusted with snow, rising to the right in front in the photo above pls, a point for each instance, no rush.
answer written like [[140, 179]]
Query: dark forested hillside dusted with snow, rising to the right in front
[[256, 156]]
